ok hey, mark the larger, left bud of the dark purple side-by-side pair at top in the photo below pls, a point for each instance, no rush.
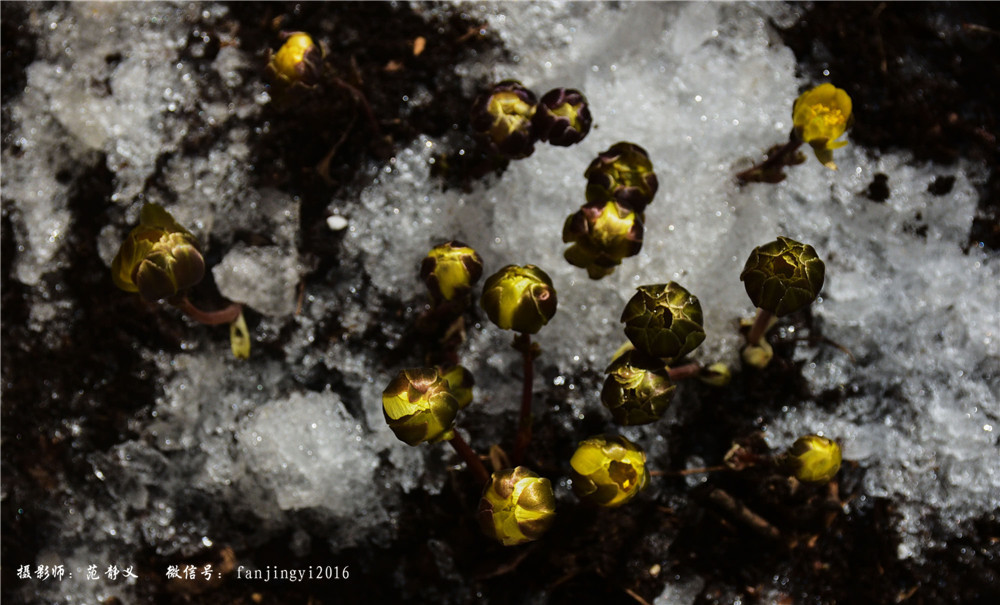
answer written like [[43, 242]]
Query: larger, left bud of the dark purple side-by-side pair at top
[[504, 117]]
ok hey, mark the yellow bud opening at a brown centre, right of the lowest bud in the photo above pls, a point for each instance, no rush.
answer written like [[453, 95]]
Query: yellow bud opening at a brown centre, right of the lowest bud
[[608, 470]]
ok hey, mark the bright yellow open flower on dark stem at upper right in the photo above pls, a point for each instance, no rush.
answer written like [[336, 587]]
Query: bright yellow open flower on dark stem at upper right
[[821, 115]]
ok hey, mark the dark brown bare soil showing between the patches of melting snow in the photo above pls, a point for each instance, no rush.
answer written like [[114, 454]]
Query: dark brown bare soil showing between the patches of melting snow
[[923, 78]]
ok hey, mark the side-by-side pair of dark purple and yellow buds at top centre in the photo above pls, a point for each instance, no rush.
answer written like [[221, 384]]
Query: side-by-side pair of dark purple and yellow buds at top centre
[[510, 119]]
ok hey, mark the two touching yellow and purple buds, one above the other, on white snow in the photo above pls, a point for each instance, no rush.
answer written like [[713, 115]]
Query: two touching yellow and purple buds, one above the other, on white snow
[[609, 227]]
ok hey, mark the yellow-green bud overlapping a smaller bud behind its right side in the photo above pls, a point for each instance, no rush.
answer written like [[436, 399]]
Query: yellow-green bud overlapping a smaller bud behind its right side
[[418, 406]]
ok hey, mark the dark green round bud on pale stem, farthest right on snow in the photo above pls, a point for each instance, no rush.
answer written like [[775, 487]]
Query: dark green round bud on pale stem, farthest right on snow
[[783, 276]]
